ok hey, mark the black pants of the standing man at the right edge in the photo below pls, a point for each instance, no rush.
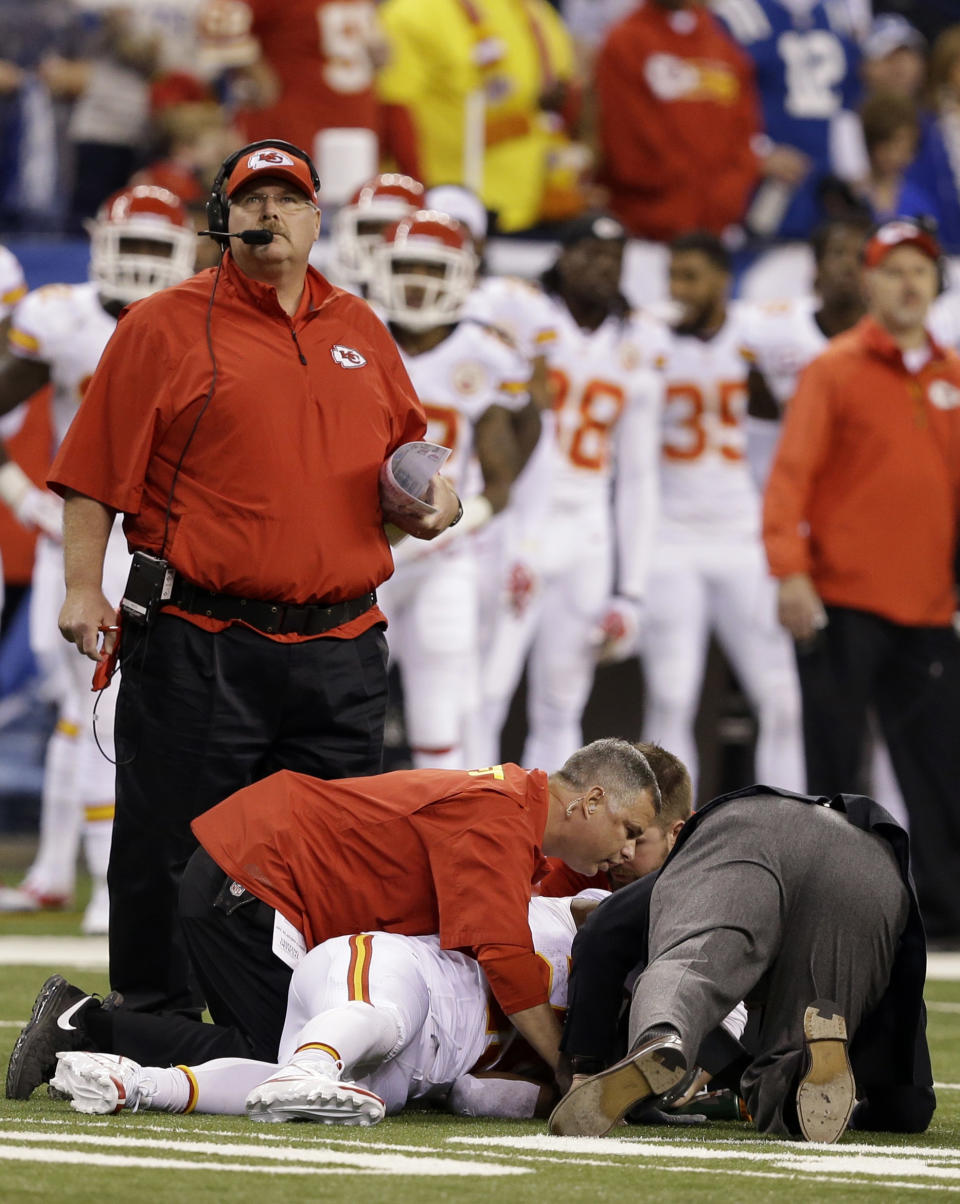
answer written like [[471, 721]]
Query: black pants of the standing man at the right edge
[[911, 677]]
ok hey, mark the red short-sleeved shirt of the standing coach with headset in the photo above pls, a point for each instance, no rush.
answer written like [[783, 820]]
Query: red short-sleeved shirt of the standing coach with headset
[[278, 497]]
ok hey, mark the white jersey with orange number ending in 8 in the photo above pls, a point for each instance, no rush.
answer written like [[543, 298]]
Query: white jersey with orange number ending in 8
[[597, 377]]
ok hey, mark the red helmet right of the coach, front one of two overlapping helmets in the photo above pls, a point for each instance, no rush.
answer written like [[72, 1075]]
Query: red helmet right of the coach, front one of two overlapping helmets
[[423, 270]]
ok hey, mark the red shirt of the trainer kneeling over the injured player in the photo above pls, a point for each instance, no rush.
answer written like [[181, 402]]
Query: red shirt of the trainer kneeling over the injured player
[[417, 853]]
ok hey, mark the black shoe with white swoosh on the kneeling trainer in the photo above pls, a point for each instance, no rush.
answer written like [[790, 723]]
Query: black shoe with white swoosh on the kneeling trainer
[[55, 1025]]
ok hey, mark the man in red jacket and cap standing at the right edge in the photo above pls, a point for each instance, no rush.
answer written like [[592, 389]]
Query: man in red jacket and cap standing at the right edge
[[861, 523]]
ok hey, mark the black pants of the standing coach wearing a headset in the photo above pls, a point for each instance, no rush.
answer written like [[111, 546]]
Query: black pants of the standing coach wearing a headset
[[199, 717]]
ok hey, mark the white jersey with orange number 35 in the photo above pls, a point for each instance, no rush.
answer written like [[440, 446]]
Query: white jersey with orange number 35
[[705, 480]]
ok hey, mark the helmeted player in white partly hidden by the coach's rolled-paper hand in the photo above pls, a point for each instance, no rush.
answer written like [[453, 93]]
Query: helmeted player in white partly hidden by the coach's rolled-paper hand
[[469, 381]]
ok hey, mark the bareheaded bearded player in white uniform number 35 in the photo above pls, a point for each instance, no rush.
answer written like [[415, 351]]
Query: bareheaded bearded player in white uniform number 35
[[709, 571]]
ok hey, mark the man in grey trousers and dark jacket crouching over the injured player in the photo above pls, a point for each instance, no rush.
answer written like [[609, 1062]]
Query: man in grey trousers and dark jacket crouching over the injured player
[[800, 906]]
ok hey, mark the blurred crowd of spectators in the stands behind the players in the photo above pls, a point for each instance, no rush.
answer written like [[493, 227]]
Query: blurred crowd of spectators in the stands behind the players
[[753, 120]]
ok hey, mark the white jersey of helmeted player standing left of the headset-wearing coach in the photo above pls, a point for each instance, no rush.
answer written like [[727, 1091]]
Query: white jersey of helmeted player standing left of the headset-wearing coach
[[66, 327]]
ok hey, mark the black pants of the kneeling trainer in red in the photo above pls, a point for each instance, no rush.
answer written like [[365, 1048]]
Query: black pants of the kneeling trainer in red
[[229, 936]]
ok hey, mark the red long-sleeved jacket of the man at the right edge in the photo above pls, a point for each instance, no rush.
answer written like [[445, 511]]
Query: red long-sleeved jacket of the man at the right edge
[[864, 494]]
